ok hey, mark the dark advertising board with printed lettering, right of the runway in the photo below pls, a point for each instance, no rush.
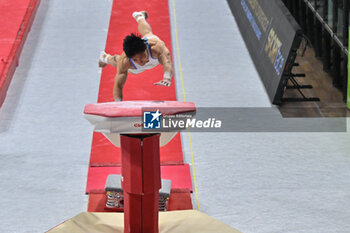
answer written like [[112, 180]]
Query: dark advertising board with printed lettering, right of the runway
[[272, 37]]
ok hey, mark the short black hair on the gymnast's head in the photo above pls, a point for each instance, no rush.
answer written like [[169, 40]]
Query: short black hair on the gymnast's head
[[133, 44]]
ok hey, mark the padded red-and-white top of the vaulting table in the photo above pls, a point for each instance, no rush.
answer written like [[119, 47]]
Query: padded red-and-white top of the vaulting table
[[126, 117]]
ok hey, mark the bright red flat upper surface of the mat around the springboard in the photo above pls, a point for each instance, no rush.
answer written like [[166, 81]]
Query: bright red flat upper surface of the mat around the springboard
[[179, 175]]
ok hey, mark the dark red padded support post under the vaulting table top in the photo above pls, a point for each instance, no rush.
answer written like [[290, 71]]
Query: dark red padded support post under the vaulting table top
[[141, 182]]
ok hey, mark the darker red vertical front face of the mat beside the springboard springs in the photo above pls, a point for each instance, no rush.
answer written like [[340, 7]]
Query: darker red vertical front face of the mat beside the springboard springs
[[180, 199]]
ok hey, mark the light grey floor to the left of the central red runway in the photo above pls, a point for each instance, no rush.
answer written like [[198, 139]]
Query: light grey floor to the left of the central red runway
[[44, 140]]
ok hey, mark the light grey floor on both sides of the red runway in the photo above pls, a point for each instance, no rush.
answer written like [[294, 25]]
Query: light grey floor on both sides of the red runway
[[255, 182]]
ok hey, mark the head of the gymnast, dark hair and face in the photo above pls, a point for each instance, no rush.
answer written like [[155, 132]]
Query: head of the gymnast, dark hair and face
[[135, 48]]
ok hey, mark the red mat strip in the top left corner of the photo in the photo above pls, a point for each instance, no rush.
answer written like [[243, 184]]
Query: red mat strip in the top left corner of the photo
[[16, 17]]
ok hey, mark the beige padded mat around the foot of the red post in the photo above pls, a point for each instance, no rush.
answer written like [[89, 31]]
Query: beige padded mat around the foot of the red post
[[188, 221]]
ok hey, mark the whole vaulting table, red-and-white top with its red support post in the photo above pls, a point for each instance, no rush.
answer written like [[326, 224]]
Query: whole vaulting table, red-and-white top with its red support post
[[124, 124]]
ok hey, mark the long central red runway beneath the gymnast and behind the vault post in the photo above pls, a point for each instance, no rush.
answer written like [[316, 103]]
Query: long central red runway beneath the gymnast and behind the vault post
[[105, 158]]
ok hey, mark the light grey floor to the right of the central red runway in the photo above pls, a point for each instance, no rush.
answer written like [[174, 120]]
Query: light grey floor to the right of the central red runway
[[256, 182]]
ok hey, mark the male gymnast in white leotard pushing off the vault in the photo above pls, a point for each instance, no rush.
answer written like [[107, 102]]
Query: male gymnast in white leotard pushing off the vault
[[140, 53]]
